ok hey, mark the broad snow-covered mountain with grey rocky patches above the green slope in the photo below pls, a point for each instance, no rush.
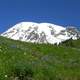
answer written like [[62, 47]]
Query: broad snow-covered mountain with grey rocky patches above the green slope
[[40, 33]]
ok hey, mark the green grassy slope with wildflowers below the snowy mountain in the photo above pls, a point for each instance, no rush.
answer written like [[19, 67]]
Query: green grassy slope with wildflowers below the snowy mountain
[[27, 61]]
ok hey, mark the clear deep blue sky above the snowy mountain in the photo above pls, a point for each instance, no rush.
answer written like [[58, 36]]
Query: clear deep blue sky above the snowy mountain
[[60, 12]]
